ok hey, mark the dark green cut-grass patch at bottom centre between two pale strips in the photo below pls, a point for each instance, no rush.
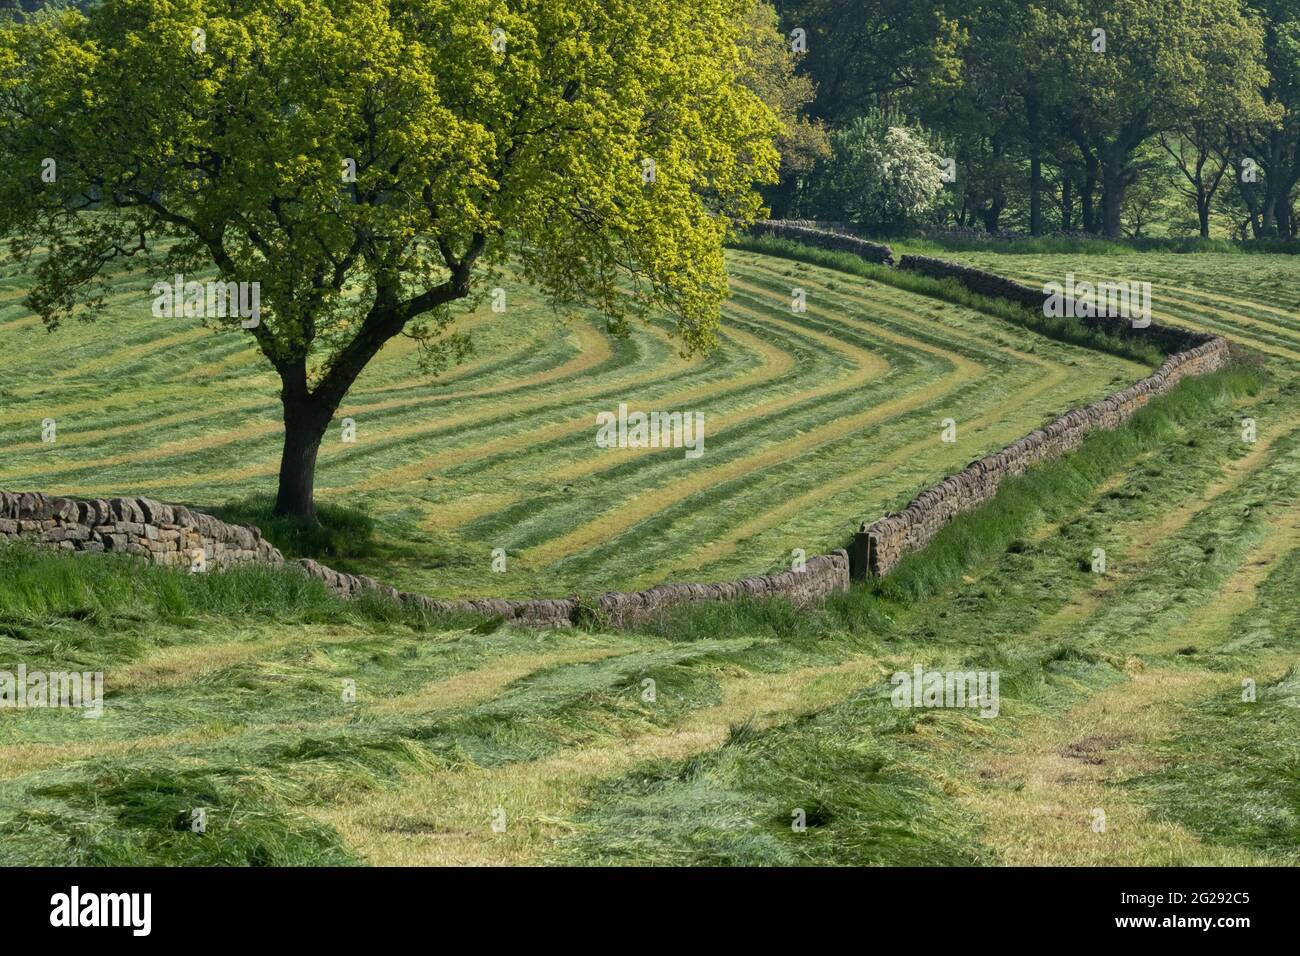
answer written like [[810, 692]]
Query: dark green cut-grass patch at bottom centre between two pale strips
[[850, 772]]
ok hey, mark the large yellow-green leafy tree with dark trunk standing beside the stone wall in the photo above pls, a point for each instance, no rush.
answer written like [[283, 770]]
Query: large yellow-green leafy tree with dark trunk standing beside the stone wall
[[608, 145]]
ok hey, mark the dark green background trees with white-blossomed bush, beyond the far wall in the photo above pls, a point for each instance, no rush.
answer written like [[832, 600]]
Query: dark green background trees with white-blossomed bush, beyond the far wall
[[1111, 118]]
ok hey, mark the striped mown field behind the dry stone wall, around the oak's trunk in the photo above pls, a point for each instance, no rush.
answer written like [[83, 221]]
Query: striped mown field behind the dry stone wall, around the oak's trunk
[[813, 422]]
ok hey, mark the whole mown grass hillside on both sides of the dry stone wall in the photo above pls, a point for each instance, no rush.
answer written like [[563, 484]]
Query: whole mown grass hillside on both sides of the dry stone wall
[[1146, 713]]
